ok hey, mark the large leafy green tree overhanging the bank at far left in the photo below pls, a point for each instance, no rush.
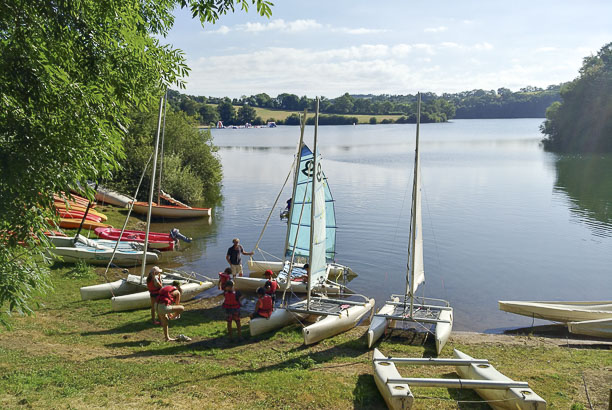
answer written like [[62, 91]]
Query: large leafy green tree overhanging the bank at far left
[[70, 74]]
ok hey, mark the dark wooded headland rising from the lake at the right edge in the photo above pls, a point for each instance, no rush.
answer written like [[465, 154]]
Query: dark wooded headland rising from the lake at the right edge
[[582, 122]]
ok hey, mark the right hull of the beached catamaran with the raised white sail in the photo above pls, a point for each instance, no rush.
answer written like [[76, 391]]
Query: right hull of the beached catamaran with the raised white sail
[[330, 325]]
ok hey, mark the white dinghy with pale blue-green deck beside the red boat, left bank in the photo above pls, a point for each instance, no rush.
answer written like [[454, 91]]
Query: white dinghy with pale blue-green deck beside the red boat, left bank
[[98, 251]]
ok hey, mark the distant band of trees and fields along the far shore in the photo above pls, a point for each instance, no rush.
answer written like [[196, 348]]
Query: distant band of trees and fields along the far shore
[[528, 102]]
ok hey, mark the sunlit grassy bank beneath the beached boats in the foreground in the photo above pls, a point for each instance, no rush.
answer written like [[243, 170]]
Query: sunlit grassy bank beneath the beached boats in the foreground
[[80, 354]]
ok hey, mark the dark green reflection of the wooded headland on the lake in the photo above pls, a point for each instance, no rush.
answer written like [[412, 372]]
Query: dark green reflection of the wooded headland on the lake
[[587, 181]]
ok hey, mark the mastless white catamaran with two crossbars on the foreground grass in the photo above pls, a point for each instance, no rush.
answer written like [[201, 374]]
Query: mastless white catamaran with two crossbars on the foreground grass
[[499, 391]]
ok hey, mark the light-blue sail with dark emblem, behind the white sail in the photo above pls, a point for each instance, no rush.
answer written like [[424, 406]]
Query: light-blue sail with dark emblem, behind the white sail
[[299, 224]]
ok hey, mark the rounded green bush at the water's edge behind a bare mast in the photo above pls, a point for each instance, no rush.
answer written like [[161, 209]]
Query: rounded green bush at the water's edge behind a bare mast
[[190, 165]]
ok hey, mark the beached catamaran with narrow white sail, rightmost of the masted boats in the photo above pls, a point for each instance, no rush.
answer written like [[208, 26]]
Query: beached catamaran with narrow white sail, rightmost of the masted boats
[[408, 307]]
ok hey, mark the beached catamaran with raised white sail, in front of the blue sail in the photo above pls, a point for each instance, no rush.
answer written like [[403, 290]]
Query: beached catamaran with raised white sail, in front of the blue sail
[[333, 315]]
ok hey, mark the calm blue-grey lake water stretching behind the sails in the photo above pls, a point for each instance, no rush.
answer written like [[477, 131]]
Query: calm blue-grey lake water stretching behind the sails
[[502, 219]]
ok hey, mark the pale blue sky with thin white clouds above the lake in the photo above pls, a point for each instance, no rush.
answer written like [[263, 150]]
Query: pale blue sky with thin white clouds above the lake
[[329, 47]]
